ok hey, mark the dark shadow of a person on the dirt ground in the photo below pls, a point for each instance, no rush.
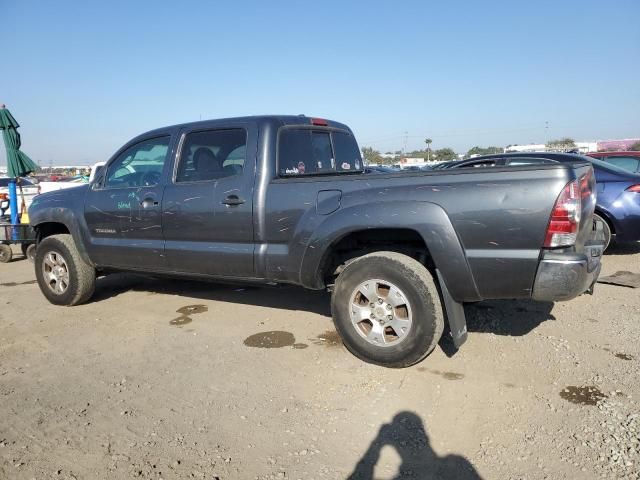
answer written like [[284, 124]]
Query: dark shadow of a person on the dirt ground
[[406, 434]]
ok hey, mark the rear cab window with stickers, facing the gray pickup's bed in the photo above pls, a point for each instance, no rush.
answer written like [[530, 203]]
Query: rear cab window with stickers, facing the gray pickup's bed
[[316, 152]]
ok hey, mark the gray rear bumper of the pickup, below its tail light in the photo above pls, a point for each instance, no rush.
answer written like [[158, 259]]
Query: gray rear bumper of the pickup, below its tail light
[[563, 276]]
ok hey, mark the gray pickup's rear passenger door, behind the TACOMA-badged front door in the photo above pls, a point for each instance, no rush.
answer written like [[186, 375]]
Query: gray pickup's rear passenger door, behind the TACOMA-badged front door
[[207, 208]]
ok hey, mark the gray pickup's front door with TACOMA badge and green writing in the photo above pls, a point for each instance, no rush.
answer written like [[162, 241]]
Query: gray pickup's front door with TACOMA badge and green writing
[[122, 208]]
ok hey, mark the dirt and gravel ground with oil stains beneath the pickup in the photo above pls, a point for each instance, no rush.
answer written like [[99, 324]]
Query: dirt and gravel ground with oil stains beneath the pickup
[[173, 379]]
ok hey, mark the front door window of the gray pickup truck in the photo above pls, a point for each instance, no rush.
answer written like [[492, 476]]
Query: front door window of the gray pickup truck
[[139, 165]]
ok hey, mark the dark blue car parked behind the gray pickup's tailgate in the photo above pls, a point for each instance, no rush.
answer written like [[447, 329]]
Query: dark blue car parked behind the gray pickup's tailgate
[[618, 190]]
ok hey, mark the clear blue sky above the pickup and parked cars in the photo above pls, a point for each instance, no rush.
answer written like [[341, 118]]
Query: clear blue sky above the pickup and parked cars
[[84, 77]]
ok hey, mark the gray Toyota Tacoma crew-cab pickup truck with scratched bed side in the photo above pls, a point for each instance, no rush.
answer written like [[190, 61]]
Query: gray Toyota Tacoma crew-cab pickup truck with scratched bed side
[[284, 200]]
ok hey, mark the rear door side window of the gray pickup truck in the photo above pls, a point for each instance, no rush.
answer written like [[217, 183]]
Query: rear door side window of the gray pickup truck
[[211, 155]]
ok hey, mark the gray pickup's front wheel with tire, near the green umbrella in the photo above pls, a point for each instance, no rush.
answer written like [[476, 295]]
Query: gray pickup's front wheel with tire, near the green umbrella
[[64, 278]]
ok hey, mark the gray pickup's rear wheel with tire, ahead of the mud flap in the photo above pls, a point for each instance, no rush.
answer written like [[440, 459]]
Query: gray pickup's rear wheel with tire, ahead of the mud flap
[[406, 291]]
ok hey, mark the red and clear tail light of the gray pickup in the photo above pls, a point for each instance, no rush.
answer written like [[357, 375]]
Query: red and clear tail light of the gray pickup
[[565, 217]]
